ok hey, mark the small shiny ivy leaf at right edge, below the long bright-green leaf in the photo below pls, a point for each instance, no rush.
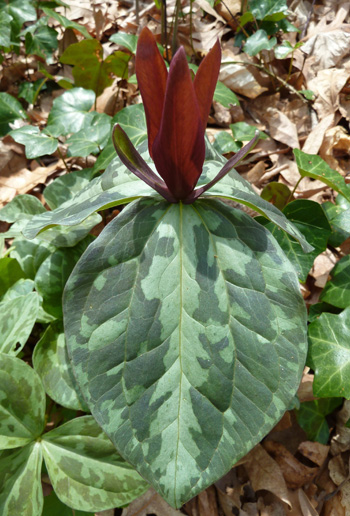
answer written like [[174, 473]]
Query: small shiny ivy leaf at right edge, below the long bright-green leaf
[[338, 215]]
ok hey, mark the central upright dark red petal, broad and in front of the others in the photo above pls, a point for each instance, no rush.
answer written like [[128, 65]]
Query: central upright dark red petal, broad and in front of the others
[[179, 149]]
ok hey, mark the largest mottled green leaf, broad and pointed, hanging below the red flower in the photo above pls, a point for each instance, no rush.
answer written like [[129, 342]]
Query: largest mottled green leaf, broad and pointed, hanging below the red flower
[[187, 337]]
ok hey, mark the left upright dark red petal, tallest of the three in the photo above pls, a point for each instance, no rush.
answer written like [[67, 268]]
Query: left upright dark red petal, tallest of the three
[[151, 75]]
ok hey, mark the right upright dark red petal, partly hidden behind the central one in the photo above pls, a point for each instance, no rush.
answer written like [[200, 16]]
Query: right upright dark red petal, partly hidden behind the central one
[[206, 79]]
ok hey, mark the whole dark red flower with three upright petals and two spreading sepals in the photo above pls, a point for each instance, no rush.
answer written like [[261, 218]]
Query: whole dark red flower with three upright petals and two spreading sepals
[[177, 110]]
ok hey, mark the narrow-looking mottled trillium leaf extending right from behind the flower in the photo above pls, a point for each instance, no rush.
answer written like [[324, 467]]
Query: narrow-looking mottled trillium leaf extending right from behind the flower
[[234, 187]]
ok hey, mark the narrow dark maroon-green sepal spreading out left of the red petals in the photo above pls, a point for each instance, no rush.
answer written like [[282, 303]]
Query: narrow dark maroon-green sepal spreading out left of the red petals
[[136, 164]]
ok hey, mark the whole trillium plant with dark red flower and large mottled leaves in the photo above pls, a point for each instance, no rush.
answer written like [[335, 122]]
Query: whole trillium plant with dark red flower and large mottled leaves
[[184, 321]]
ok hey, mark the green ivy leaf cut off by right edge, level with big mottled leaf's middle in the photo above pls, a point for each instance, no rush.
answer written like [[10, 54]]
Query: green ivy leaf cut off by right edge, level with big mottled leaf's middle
[[337, 290]]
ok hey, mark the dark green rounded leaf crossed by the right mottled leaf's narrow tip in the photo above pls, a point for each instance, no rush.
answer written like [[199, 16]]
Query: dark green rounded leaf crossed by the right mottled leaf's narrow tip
[[309, 218]]
